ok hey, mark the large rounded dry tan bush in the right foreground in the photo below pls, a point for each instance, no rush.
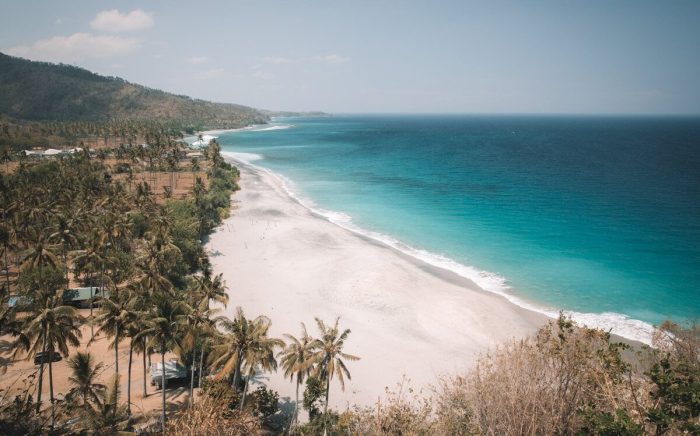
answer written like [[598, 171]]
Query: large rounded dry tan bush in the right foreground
[[541, 385]]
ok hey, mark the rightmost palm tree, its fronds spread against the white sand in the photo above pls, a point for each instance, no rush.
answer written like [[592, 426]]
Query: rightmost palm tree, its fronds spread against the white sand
[[329, 355]]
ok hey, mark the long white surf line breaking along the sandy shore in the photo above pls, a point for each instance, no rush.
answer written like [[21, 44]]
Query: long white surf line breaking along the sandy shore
[[616, 323]]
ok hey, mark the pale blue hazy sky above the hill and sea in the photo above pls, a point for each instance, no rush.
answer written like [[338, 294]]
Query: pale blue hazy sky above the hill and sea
[[591, 57]]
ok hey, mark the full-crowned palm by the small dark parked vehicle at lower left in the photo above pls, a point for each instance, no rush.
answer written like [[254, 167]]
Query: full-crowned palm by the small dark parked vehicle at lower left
[[51, 328]]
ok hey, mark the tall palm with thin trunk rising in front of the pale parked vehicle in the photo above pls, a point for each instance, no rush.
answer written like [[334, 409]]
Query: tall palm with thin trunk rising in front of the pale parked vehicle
[[162, 329]]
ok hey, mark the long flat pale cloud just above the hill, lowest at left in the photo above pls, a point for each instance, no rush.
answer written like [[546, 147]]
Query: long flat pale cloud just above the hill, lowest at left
[[78, 46]]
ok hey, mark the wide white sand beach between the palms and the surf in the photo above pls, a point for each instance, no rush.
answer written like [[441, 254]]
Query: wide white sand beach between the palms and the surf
[[406, 317]]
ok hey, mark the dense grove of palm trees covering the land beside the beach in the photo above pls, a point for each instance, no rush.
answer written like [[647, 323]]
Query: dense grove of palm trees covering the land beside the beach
[[93, 219]]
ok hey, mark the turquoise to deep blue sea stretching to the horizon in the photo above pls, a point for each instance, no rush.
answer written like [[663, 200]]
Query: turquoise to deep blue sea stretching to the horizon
[[598, 216]]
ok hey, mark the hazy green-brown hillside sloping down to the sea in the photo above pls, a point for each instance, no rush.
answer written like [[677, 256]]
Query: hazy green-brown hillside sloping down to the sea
[[44, 91]]
